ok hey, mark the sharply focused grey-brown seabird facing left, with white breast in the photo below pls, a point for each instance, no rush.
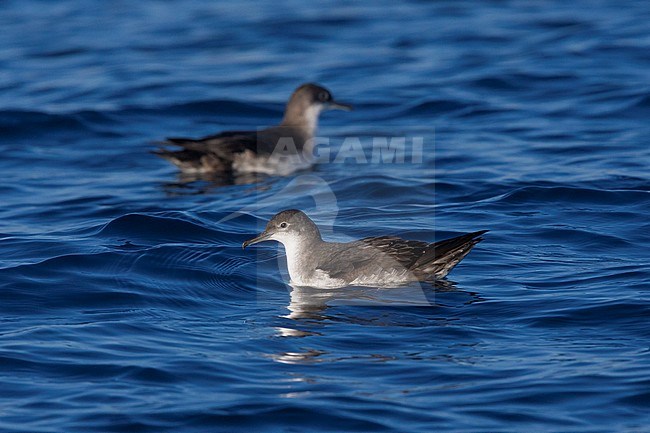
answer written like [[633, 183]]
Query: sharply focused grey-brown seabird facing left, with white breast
[[373, 261]]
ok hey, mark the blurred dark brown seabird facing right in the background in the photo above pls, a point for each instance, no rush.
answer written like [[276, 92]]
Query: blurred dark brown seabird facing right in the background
[[277, 150]]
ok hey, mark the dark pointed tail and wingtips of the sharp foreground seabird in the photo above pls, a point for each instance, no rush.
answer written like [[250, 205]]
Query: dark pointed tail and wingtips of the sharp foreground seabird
[[441, 257]]
